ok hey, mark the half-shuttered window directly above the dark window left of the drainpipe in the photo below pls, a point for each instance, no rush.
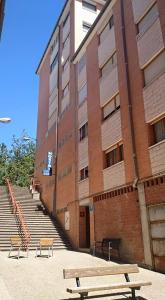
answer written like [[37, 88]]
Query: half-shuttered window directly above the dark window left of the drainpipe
[[111, 107]]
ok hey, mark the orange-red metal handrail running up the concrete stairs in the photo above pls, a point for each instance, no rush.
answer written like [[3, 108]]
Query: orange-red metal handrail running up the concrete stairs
[[17, 210]]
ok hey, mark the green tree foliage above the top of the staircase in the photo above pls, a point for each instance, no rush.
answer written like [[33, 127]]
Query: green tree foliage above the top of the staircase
[[18, 163]]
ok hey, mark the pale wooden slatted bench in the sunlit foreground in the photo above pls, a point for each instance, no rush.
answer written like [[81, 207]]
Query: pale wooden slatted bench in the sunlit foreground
[[104, 271]]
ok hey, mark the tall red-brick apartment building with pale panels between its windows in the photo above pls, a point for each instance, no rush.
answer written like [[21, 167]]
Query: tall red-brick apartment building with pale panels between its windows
[[101, 125]]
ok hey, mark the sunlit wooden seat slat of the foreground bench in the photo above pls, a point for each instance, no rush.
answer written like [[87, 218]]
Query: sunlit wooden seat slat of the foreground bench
[[133, 284]]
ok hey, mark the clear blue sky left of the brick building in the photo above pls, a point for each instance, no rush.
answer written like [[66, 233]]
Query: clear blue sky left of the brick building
[[27, 27]]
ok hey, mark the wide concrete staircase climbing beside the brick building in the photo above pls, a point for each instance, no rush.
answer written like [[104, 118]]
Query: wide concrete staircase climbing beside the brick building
[[39, 224]]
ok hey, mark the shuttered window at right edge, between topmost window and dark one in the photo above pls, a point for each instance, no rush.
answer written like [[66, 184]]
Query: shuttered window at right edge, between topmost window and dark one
[[156, 67]]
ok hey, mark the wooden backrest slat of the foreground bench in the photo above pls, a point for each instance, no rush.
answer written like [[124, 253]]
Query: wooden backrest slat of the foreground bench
[[99, 271]]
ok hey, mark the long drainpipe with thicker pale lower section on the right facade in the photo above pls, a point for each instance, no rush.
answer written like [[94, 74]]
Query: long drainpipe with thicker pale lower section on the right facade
[[140, 186]]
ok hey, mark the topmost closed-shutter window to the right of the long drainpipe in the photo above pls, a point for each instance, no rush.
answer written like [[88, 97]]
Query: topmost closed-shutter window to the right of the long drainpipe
[[148, 19]]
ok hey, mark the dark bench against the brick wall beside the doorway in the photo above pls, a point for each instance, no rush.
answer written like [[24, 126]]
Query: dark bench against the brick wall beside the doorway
[[105, 246]]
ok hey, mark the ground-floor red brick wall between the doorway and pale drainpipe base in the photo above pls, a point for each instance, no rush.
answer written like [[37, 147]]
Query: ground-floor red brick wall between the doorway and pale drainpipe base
[[119, 217]]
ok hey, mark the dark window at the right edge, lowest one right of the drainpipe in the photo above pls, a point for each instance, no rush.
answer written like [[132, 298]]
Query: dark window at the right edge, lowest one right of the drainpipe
[[159, 131]]
